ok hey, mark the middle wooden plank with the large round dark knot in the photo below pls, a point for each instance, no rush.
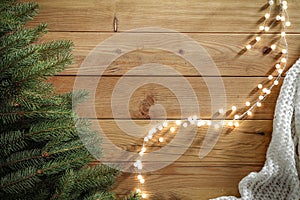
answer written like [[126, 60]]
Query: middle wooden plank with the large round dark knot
[[146, 100]]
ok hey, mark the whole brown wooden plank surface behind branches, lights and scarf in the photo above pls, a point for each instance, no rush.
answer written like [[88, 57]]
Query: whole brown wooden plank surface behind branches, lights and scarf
[[222, 27]]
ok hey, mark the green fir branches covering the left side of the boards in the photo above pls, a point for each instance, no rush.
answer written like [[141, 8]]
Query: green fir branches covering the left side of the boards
[[42, 156]]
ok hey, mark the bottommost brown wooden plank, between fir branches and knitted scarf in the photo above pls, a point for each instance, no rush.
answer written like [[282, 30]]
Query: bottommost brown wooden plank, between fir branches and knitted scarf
[[181, 186]]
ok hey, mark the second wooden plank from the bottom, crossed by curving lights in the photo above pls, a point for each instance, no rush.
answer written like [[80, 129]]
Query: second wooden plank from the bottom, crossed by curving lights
[[252, 138]]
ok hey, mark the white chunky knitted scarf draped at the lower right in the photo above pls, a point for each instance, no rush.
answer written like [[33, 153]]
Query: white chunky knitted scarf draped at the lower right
[[279, 178]]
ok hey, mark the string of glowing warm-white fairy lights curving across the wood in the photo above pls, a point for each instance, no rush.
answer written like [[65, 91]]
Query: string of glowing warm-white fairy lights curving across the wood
[[265, 89]]
